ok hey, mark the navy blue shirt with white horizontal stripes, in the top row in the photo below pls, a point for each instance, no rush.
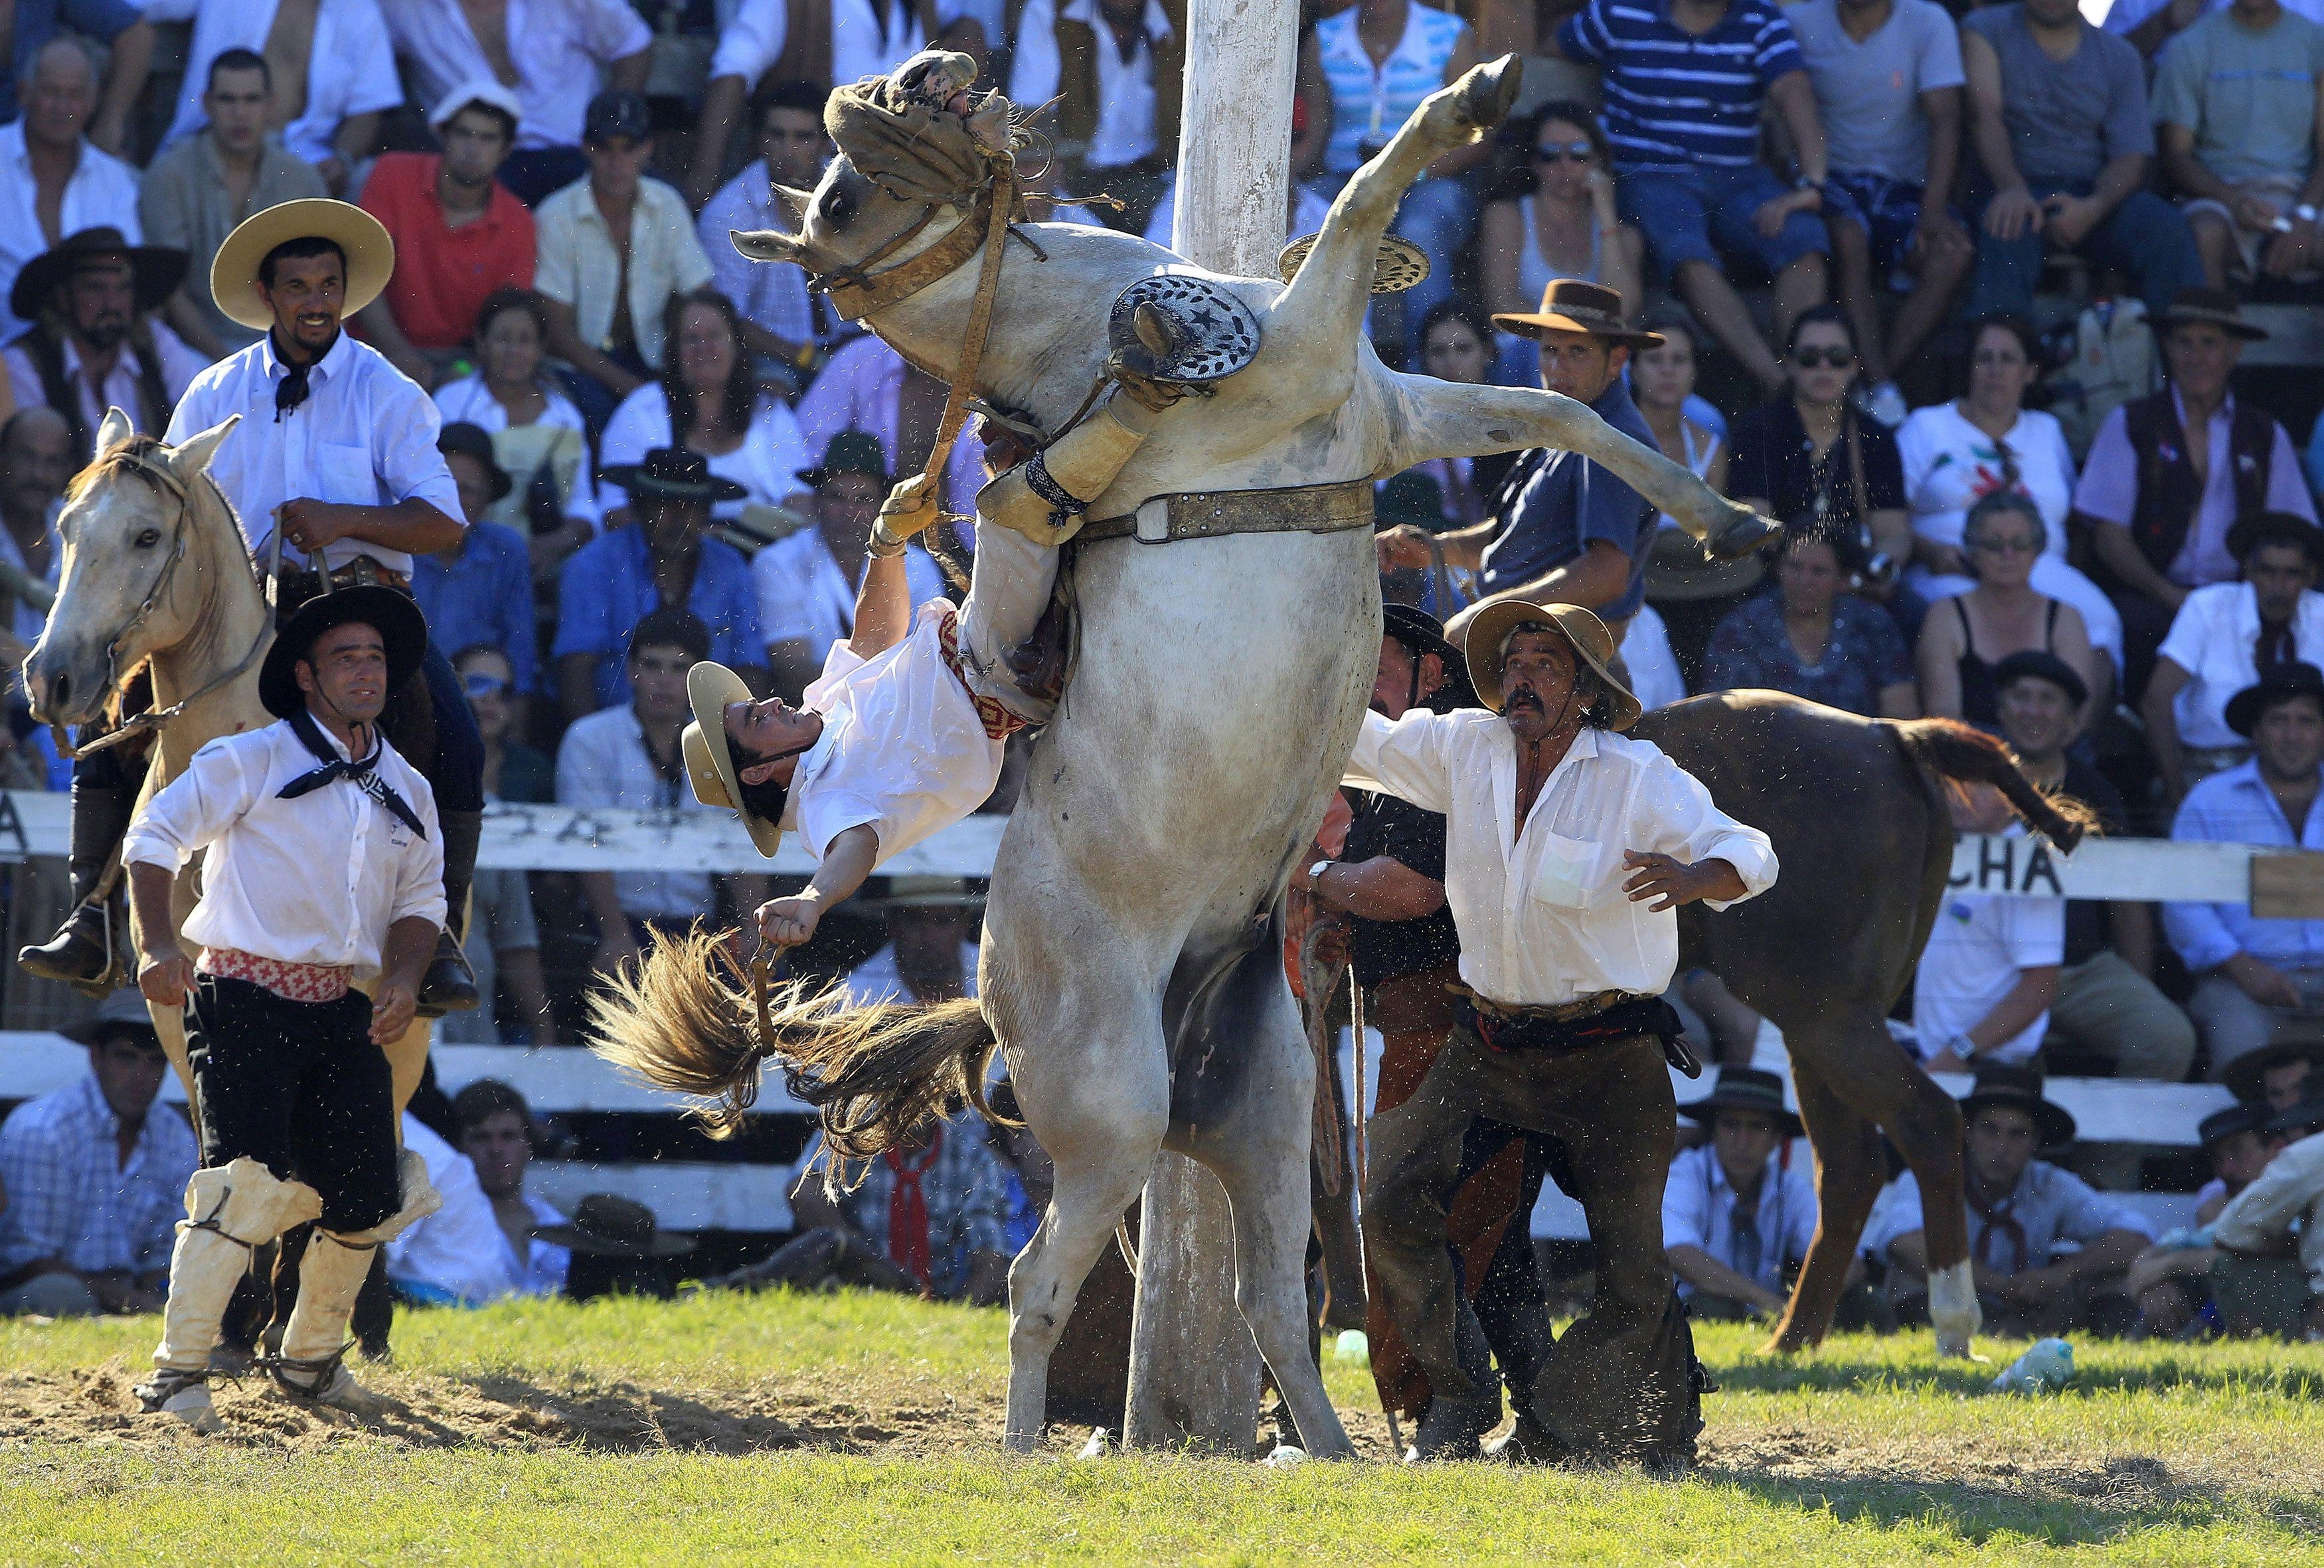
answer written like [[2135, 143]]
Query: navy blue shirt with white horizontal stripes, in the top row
[[1677, 99]]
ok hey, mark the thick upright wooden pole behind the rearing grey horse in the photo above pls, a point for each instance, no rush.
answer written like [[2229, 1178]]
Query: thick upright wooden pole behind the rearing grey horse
[[1193, 1367]]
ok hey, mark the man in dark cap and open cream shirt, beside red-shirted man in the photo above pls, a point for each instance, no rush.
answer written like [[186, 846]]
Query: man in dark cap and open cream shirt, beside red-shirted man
[[617, 247]]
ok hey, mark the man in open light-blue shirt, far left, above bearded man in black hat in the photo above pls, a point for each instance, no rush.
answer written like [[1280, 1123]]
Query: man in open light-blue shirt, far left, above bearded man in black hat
[[52, 180]]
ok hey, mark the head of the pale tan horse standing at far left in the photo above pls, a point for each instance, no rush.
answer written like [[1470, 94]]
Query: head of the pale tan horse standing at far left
[[124, 591]]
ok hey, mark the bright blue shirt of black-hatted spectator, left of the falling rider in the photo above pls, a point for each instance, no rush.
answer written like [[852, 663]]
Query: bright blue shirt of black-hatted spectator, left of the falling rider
[[608, 589]]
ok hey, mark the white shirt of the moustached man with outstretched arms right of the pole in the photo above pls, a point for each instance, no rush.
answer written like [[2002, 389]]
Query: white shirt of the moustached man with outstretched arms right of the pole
[[1542, 912]]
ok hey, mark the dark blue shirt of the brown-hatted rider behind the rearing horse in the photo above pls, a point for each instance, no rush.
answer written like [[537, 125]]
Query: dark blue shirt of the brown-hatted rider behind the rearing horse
[[1565, 503]]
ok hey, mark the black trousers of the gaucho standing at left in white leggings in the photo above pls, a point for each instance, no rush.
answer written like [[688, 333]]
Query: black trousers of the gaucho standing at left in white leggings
[[303, 1091]]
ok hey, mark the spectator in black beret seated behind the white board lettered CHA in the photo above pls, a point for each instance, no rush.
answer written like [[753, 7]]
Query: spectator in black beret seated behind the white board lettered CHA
[[2107, 1005]]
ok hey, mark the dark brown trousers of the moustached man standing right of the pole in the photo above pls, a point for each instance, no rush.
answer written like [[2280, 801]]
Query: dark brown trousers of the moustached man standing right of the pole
[[1621, 1383]]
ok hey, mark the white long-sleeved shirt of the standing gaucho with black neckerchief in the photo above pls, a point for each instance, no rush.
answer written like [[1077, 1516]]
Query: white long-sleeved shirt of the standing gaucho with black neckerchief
[[306, 882]]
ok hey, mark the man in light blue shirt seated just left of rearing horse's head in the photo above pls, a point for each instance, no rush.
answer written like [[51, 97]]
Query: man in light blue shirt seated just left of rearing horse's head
[[784, 326]]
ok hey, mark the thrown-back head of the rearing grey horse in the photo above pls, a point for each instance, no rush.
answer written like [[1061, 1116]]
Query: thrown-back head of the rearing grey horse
[[908, 143]]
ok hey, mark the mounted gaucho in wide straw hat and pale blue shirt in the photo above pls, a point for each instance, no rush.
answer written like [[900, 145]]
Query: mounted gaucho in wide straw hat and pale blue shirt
[[333, 456]]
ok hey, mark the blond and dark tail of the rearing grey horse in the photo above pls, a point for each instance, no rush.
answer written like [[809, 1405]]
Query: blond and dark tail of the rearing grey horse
[[687, 1021]]
